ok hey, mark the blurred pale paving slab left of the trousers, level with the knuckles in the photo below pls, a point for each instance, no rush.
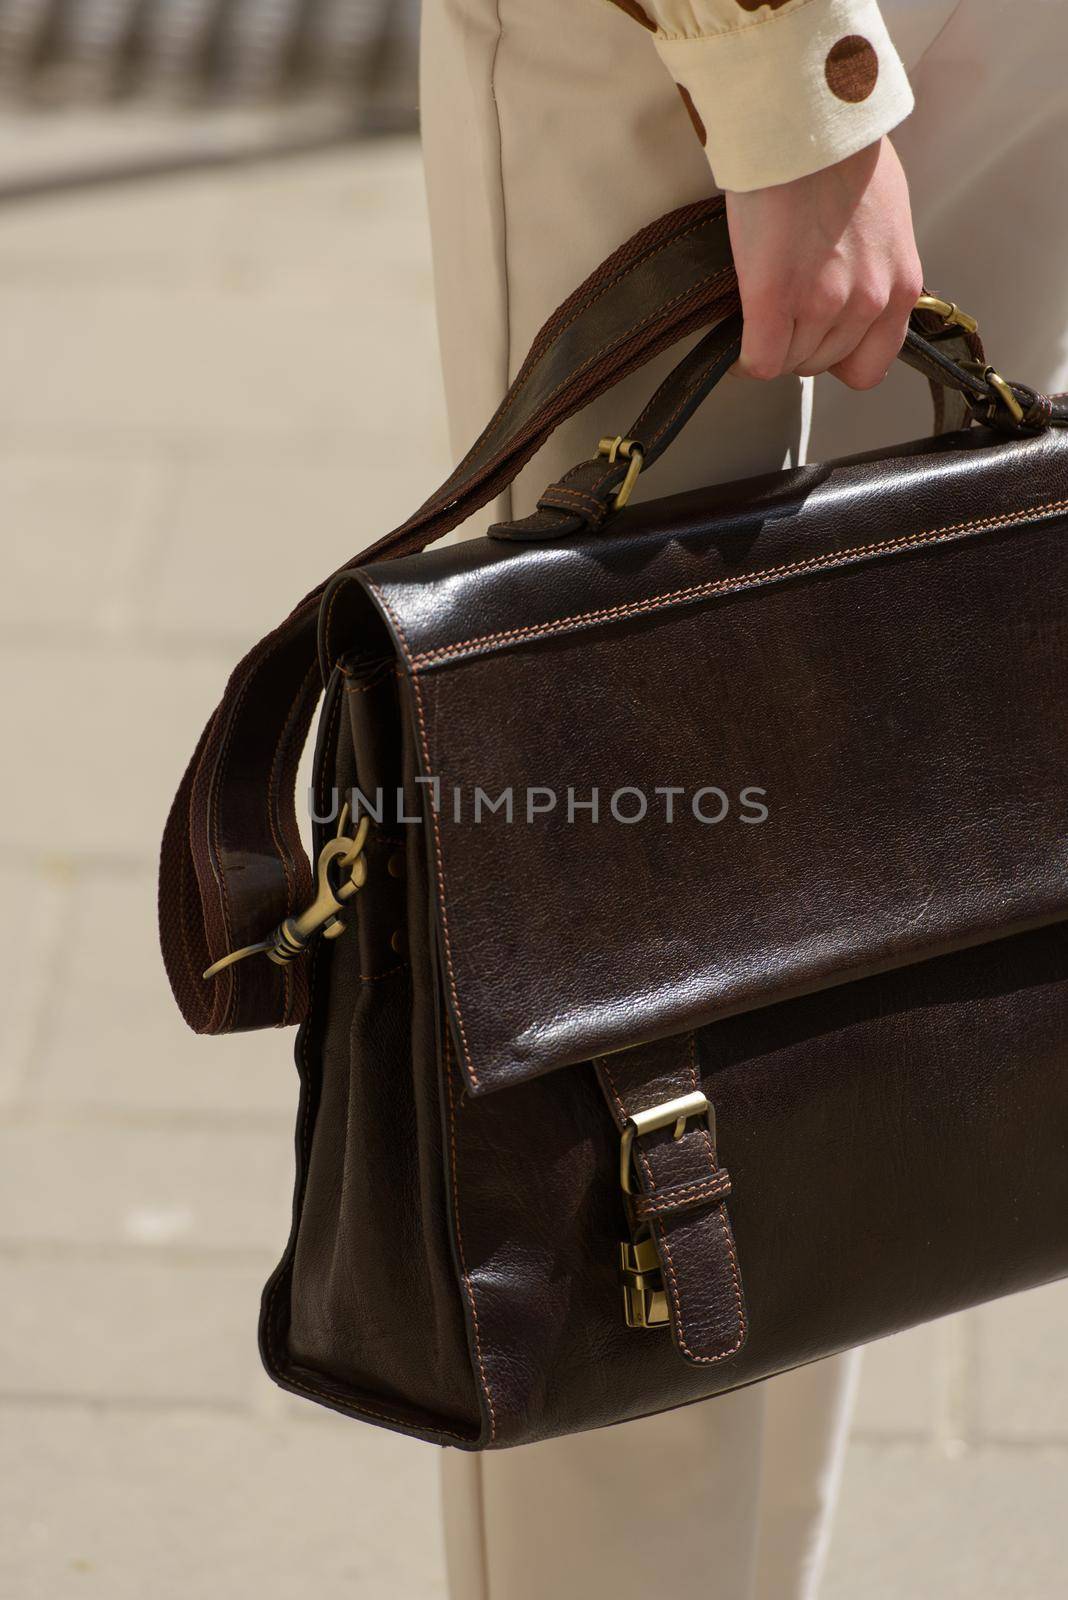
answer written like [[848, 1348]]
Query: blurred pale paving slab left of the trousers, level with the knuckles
[[201, 361]]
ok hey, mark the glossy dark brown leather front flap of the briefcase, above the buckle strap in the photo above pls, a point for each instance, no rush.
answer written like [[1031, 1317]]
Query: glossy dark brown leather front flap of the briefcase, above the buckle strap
[[874, 657]]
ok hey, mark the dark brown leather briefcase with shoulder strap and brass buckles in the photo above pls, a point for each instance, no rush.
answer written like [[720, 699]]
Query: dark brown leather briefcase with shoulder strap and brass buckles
[[683, 983]]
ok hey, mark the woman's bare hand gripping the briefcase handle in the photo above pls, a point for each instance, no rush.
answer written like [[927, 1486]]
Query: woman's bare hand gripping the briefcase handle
[[827, 270]]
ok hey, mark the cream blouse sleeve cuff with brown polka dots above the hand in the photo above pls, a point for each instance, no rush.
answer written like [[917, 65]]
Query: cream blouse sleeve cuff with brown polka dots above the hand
[[779, 89]]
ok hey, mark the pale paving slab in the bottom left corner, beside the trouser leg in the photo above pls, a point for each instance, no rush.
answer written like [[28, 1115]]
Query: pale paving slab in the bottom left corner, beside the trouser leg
[[193, 1506]]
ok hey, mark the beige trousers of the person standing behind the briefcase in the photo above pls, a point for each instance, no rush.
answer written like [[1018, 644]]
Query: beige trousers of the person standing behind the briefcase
[[552, 134]]
